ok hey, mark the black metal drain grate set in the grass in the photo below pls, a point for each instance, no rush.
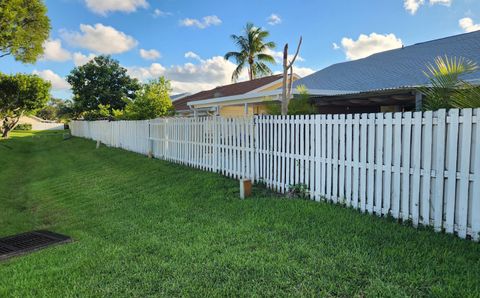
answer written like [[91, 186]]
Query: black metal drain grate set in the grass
[[23, 243]]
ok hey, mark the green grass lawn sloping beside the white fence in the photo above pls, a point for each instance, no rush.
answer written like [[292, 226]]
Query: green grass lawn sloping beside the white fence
[[146, 227]]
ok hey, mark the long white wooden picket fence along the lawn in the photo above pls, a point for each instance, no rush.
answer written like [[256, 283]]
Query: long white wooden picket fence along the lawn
[[423, 167]]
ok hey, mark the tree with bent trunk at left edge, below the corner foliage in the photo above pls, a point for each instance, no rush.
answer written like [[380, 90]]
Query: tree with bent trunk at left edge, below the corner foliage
[[20, 94]]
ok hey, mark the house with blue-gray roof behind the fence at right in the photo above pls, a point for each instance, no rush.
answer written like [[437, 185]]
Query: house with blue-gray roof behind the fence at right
[[386, 81]]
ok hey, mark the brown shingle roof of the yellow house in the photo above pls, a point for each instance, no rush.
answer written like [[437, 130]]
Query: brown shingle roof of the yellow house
[[227, 90]]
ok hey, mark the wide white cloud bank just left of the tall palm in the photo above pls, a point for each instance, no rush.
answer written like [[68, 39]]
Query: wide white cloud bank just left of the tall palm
[[190, 77]]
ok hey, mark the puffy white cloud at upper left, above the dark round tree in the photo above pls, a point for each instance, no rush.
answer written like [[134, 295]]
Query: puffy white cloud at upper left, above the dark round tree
[[100, 39]]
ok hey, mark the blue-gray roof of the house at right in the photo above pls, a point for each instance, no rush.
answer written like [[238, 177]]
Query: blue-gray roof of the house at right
[[396, 68]]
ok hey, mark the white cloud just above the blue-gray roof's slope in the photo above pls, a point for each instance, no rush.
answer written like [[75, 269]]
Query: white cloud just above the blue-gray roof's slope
[[367, 45]]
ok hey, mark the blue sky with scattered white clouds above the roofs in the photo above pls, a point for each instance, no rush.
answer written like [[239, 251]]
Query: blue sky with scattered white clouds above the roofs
[[185, 40]]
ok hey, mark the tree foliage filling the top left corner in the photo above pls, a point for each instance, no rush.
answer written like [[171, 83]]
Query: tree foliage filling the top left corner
[[24, 26]]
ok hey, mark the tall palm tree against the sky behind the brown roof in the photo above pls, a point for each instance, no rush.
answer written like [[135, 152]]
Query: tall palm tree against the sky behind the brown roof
[[253, 47]]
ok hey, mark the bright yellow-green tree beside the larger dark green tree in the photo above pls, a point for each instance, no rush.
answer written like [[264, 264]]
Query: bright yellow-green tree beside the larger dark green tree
[[152, 101]]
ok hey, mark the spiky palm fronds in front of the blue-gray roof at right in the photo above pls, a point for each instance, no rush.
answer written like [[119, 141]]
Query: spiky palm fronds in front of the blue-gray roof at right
[[447, 89]]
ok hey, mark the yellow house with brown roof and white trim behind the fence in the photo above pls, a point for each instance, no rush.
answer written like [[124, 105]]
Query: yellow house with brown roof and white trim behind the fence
[[239, 99]]
